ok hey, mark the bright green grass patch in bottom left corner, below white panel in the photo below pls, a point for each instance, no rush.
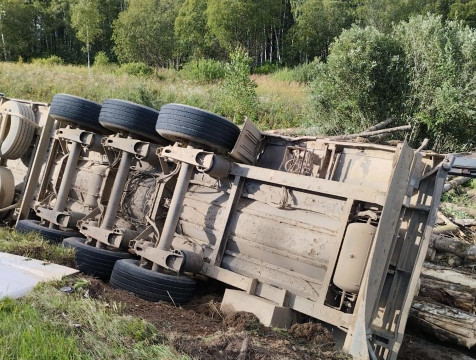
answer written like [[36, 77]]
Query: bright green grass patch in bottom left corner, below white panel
[[48, 324]]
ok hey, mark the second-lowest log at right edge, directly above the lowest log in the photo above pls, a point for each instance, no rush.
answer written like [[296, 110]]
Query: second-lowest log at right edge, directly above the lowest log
[[454, 295]]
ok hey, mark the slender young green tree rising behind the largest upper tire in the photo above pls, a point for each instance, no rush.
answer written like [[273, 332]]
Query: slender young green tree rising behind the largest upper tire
[[238, 96]]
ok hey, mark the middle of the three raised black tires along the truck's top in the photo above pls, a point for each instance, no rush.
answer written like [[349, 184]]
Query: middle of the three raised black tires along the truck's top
[[120, 115]]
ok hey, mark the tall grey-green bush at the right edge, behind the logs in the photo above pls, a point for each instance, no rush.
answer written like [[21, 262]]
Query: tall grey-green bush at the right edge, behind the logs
[[442, 59]]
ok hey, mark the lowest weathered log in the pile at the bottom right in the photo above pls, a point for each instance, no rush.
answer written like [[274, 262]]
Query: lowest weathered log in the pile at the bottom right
[[445, 323]]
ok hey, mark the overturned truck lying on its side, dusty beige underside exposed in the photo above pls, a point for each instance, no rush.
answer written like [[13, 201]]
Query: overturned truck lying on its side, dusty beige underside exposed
[[337, 231]]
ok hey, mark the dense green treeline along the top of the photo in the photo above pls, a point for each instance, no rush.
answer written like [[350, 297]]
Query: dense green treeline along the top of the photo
[[171, 32]]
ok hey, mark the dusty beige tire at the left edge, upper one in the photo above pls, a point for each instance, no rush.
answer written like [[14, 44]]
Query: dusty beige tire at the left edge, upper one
[[20, 131]]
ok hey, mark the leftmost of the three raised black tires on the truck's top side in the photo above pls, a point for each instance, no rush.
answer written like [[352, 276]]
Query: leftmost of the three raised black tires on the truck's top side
[[77, 110]]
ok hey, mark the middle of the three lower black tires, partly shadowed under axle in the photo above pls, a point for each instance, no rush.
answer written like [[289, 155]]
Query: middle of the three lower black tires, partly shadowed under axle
[[94, 261]]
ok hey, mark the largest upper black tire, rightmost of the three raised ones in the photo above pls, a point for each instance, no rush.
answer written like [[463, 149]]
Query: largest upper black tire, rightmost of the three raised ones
[[181, 122]]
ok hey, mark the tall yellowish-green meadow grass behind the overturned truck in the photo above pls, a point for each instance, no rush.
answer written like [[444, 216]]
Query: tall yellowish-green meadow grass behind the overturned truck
[[280, 104]]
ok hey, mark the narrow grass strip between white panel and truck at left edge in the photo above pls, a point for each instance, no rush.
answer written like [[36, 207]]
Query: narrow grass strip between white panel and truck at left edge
[[33, 246]]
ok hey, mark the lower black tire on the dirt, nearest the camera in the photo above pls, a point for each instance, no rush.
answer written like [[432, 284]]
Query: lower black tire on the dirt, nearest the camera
[[151, 285]]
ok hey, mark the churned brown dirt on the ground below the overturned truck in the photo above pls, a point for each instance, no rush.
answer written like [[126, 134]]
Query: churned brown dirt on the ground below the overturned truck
[[201, 331]]
